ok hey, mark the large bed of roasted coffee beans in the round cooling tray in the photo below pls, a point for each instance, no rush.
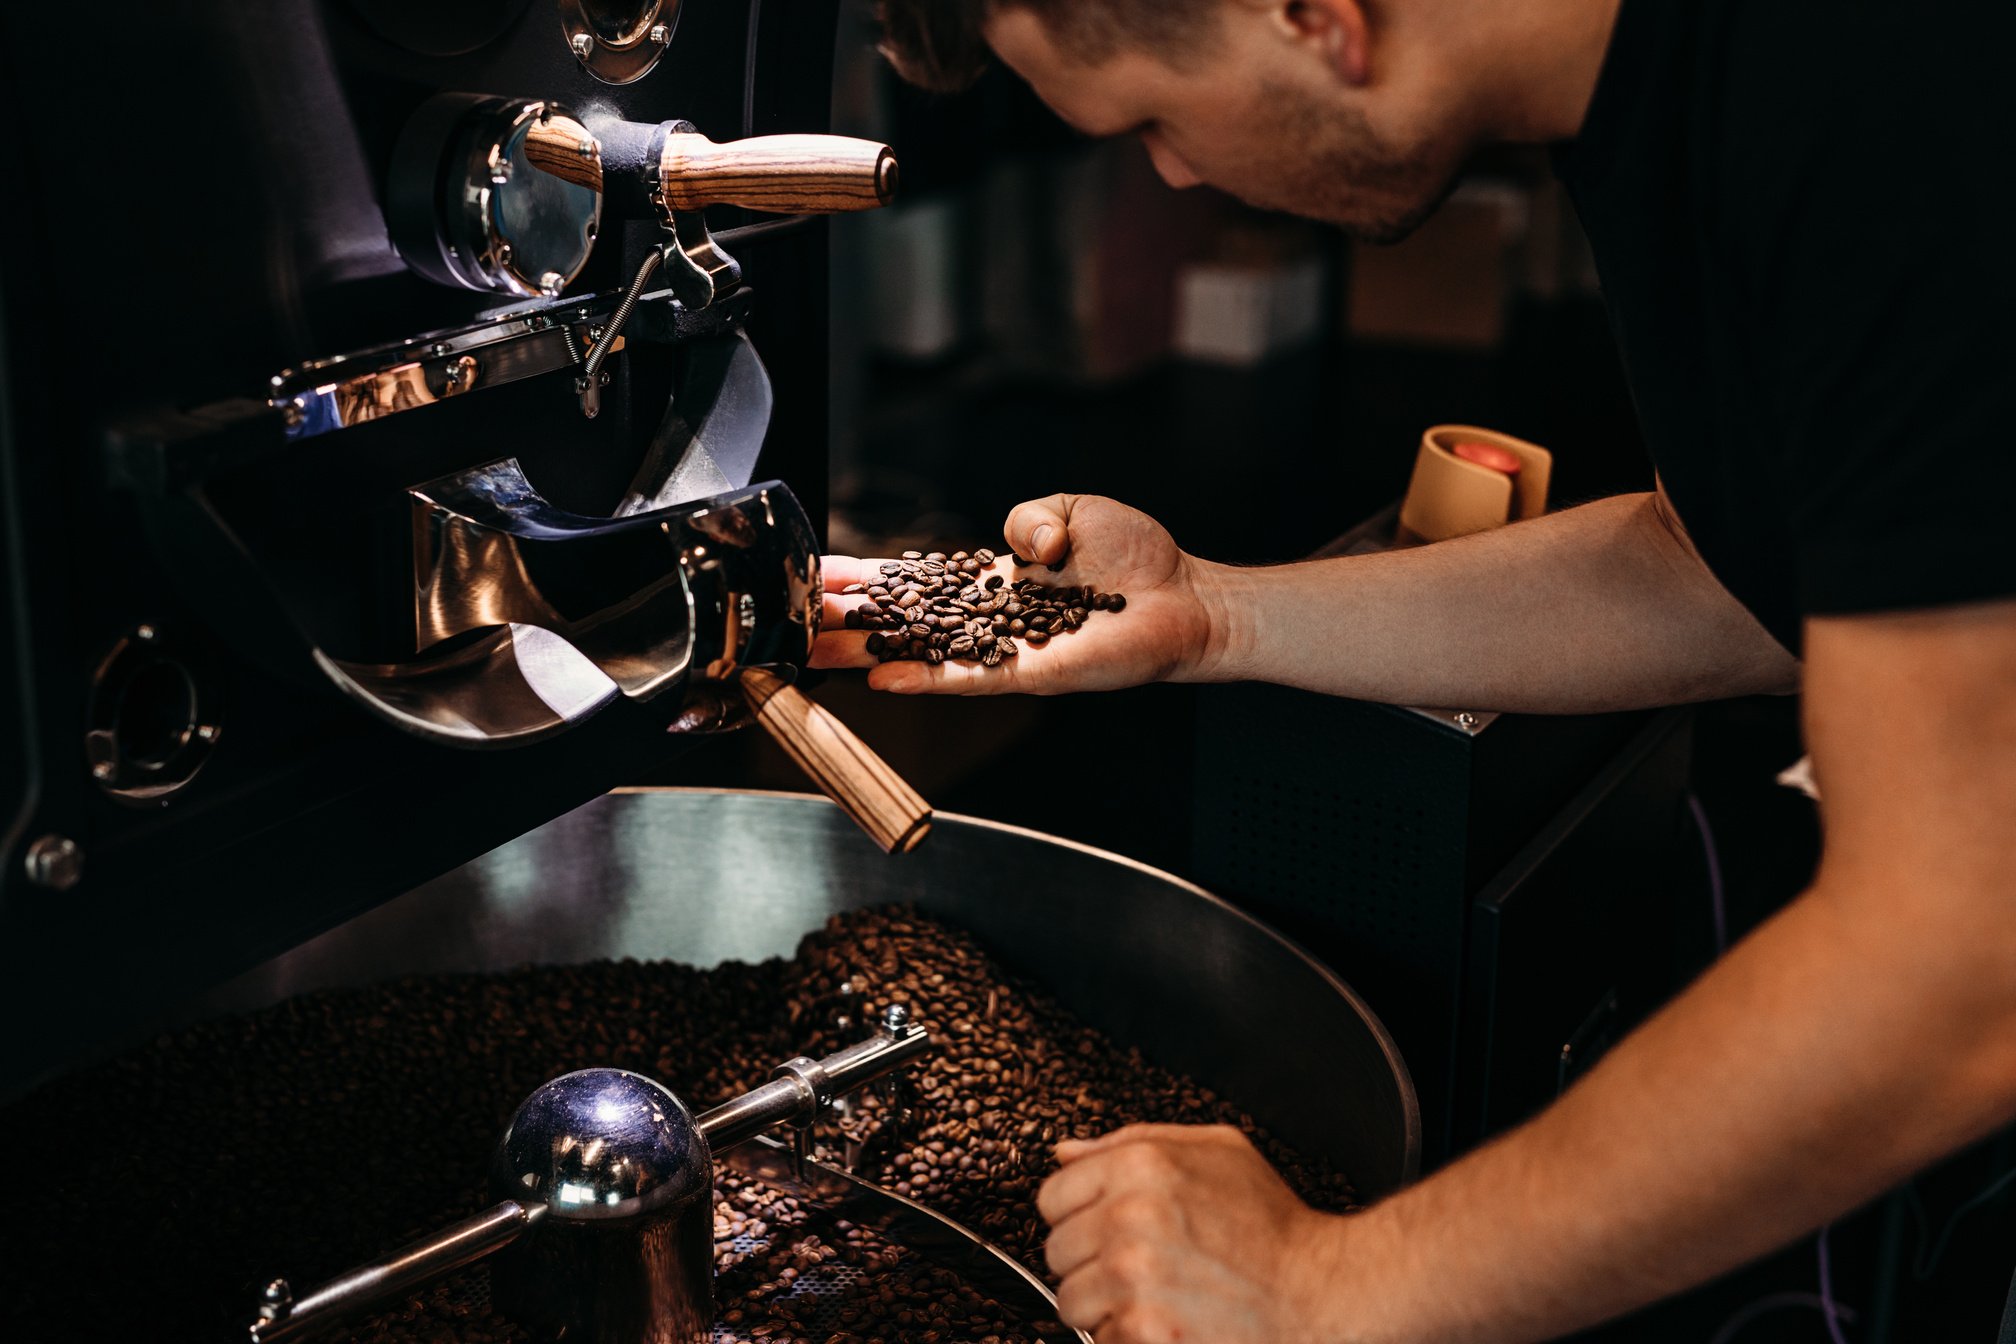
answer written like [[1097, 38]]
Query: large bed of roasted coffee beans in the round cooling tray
[[168, 1186]]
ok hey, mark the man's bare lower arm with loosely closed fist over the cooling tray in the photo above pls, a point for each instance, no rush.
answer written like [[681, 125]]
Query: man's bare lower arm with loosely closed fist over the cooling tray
[[1864, 1033]]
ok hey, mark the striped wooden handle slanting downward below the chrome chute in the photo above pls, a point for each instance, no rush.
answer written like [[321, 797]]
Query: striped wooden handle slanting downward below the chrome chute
[[842, 765]]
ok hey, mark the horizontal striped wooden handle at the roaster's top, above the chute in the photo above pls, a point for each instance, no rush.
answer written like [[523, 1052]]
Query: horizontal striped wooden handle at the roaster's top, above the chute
[[781, 174]]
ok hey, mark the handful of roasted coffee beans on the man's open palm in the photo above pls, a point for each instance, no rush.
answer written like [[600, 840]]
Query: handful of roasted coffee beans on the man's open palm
[[930, 608]]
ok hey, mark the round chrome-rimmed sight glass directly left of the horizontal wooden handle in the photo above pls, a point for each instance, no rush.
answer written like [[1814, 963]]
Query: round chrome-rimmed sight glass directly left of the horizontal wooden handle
[[497, 194]]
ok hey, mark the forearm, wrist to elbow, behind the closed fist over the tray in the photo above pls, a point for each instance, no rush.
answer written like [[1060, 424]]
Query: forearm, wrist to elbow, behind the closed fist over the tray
[[1815, 1067]]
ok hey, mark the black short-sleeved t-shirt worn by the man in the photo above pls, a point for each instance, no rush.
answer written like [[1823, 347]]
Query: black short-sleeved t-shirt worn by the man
[[1799, 213]]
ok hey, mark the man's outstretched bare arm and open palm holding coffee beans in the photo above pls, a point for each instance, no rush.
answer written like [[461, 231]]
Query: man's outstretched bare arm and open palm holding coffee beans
[[1600, 608]]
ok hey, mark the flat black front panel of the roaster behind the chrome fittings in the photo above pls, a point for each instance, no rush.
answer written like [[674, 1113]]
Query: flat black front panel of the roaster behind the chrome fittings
[[182, 787]]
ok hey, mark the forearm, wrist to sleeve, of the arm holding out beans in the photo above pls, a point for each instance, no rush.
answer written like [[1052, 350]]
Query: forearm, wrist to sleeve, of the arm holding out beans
[[1600, 608]]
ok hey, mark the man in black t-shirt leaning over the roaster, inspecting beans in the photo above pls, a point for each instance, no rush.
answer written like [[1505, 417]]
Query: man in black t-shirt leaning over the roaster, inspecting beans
[[1809, 297]]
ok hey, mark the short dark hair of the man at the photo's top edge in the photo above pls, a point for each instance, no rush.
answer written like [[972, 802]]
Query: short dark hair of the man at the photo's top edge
[[938, 43]]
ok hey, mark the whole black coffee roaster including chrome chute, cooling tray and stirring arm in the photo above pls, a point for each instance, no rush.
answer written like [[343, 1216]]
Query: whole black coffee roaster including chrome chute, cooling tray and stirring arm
[[412, 428]]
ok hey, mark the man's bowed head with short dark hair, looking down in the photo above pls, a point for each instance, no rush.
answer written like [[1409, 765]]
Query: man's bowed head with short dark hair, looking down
[[1338, 110]]
